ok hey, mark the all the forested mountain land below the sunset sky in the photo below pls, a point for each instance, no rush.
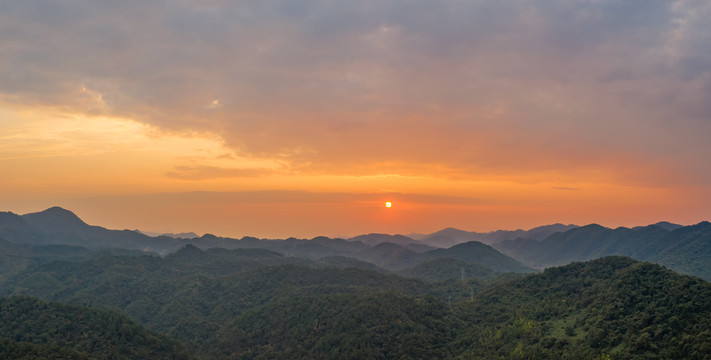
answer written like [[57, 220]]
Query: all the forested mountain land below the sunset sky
[[88, 292]]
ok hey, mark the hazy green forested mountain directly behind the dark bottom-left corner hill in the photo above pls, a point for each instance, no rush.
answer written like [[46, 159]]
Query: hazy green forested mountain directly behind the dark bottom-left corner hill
[[192, 294]]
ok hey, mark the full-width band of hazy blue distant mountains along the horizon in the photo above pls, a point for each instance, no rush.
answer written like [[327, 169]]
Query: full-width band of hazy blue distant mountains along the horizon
[[686, 249]]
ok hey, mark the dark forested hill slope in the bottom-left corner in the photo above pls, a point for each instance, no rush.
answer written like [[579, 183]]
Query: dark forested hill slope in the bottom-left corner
[[34, 329]]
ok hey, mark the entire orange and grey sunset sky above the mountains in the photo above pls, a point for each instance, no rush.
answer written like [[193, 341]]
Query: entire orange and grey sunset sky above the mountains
[[278, 118]]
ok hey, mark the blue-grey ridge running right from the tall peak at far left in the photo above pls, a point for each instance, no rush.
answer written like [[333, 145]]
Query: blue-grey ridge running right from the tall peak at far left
[[60, 226]]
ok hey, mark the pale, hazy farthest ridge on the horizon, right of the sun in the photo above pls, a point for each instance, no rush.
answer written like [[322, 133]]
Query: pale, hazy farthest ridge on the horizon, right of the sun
[[451, 236]]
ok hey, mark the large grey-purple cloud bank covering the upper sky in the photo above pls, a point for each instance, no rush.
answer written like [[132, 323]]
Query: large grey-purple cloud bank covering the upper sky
[[459, 88]]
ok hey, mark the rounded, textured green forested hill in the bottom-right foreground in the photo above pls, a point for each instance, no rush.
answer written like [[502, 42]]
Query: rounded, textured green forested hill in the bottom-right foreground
[[613, 307]]
